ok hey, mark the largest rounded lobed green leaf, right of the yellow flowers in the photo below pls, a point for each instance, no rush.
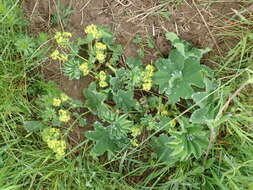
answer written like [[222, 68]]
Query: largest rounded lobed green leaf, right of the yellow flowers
[[176, 80]]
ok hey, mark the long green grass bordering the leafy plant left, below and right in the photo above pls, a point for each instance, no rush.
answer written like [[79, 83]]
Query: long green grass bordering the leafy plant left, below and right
[[27, 163]]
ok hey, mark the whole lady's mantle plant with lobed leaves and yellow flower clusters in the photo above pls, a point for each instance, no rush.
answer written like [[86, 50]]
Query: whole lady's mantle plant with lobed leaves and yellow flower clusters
[[131, 98]]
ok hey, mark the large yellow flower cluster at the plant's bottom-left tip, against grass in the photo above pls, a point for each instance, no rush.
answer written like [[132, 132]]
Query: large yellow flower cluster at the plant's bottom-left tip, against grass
[[52, 137]]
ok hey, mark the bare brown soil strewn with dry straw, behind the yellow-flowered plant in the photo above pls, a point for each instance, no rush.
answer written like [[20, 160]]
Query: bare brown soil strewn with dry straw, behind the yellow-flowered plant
[[198, 22]]
